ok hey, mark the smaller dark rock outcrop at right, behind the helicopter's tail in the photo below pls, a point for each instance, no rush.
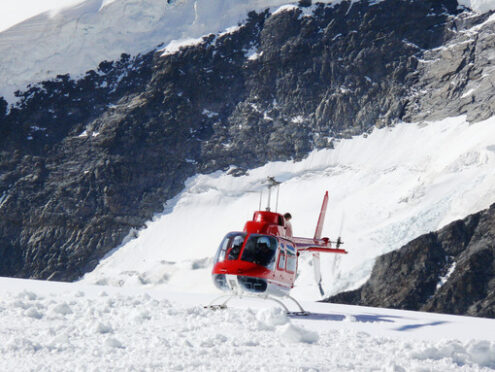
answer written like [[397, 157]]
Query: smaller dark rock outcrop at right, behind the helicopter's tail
[[449, 271]]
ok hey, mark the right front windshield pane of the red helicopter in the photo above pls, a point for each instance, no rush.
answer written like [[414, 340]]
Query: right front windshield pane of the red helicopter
[[260, 249]]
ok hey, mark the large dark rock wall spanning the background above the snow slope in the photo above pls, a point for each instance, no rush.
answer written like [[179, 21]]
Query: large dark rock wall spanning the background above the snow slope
[[82, 162]]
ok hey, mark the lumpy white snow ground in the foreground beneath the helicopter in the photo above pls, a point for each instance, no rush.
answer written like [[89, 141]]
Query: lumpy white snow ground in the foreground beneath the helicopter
[[47, 326]]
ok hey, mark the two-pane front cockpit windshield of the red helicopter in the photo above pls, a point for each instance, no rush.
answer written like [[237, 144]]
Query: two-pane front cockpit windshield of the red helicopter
[[258, 249]]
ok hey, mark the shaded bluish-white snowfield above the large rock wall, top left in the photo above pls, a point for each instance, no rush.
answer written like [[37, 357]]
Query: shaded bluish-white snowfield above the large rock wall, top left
[[74, 39]]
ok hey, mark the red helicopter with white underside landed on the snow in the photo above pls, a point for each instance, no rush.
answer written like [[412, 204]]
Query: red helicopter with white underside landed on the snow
[[262, 260]]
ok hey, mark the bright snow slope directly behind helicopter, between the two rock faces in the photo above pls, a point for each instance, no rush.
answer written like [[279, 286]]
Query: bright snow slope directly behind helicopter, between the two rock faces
[[391, 186]]
